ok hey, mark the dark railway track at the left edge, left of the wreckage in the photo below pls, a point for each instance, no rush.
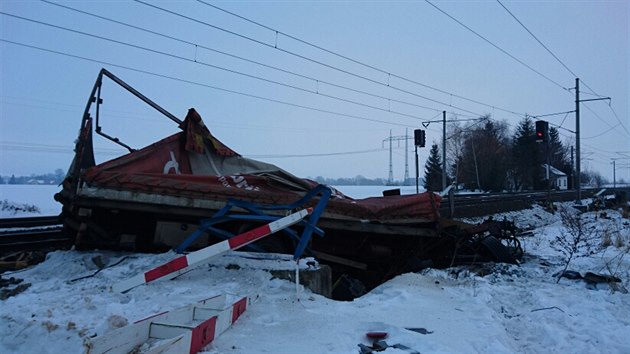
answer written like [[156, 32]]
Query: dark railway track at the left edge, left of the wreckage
[[31, 233]]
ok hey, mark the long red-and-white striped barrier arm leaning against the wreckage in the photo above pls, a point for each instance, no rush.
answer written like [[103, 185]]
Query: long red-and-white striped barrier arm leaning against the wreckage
[[185, 263]]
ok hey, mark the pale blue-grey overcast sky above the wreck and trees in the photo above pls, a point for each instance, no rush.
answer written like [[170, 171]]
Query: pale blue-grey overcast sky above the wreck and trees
[[42, 94]]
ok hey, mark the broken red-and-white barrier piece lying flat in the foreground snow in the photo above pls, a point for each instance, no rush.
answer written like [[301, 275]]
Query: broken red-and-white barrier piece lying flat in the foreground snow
[[185, 330]]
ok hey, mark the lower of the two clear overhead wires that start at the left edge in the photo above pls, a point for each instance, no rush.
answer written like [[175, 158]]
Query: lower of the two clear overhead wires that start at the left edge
[[142, 71]]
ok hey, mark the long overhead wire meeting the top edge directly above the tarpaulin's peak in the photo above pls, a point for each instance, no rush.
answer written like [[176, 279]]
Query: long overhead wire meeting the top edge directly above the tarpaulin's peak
[[389, 74]]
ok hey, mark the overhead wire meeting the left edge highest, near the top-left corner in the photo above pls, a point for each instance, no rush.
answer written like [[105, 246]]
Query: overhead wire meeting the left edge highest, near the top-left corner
[[194, 61]]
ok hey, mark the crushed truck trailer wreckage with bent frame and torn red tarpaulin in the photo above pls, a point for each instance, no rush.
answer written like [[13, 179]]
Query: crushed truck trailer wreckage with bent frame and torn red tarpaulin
[[189, 190]]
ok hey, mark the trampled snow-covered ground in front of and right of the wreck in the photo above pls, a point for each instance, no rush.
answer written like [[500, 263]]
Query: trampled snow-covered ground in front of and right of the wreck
[[494, 308]]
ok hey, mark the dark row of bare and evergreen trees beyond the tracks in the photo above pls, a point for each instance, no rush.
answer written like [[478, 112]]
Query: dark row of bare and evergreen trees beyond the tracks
[[486, 156]]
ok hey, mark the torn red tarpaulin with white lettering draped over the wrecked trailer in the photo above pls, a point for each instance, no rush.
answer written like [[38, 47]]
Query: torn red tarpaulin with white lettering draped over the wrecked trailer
[[195, 164]]
